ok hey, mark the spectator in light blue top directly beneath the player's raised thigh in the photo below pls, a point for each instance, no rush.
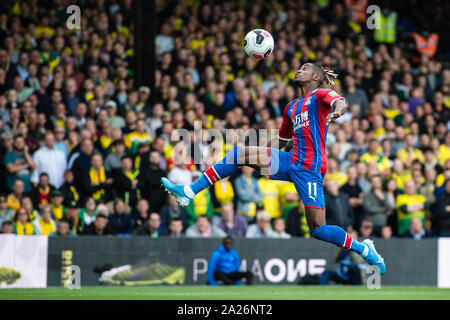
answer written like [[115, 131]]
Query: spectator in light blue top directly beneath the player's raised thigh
[[248, 193]]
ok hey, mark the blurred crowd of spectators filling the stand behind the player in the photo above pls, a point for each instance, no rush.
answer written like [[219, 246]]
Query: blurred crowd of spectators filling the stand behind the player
[[83, 148]]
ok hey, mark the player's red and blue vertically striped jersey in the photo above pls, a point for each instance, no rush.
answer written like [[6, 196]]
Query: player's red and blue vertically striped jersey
[[305, 121]]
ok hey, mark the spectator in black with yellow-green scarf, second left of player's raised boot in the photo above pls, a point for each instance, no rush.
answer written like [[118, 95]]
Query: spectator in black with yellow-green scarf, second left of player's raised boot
[[126, 182]]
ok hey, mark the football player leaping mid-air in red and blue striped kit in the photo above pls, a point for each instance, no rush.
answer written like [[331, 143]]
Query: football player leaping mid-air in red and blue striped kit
[[306, 123]]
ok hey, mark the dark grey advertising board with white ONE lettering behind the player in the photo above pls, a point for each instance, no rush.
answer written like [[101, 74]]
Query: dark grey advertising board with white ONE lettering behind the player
[[140, 260]]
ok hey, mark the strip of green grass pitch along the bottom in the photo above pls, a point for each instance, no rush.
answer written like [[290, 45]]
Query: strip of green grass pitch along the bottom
[[229, 293]]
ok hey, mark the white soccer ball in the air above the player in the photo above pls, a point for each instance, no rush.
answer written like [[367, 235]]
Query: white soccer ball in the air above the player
[[258, 43]]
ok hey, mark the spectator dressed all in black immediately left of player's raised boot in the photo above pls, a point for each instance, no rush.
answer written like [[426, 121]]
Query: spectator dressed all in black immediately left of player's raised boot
[[149, 181]]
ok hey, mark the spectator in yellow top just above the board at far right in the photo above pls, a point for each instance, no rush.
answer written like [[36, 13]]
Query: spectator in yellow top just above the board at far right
[[409, 205]]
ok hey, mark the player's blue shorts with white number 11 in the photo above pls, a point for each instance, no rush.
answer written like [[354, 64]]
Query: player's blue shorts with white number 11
[[309, 184]]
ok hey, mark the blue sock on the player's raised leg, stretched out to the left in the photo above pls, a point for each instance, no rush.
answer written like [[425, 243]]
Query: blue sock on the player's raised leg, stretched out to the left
[[220, 170]]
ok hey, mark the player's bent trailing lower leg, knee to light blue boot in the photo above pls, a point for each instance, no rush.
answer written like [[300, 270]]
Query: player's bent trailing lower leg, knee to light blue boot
[[337, 235]]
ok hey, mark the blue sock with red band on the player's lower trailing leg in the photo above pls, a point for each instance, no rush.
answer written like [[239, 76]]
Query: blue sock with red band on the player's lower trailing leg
[[339, 237]]
